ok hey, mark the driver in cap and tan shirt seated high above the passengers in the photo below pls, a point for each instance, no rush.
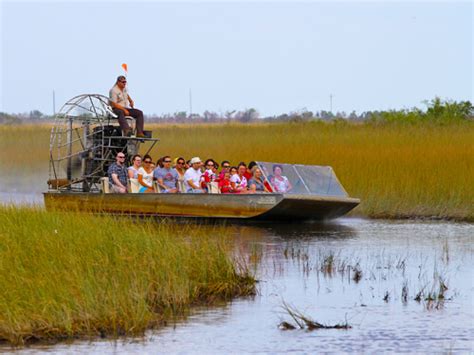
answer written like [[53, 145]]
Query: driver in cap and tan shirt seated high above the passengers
[[123, 105]]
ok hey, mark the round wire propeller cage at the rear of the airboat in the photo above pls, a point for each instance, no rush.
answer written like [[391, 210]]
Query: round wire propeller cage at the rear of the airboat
[[84, 141]]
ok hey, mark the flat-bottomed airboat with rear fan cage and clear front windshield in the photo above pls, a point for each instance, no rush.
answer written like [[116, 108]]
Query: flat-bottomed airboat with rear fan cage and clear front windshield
[[86, 137]]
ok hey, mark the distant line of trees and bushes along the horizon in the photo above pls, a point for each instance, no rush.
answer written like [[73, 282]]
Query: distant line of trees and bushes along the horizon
[[437, 111]]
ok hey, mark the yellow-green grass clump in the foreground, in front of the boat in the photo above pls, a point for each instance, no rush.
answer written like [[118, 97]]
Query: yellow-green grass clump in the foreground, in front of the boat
[[71, 275]]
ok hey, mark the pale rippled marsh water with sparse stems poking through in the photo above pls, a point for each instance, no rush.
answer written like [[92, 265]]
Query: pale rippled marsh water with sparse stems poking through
[[400, 286]]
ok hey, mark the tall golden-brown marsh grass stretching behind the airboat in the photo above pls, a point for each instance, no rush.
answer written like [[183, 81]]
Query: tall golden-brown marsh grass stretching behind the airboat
[[397, 170]]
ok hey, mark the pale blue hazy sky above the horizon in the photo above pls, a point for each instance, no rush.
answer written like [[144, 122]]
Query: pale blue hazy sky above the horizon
[[274, 56]]
